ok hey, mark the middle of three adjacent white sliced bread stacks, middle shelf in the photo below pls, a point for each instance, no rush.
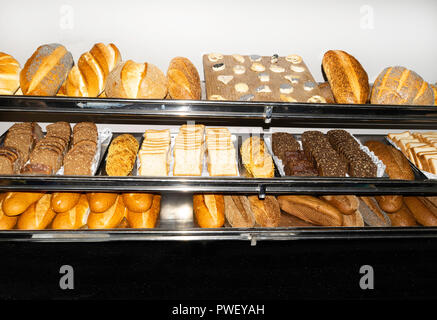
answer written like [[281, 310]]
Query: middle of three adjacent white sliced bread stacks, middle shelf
[[189, 150]]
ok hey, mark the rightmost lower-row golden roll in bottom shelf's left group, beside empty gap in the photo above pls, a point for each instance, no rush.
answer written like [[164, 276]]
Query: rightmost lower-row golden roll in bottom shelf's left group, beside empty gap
[[147, 218]]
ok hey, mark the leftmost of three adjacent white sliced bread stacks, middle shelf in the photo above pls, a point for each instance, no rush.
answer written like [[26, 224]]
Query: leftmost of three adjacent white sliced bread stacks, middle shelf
[[154, 154]]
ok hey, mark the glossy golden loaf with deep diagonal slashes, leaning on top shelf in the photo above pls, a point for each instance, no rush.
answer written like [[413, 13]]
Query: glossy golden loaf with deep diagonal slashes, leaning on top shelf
[[88, 77]]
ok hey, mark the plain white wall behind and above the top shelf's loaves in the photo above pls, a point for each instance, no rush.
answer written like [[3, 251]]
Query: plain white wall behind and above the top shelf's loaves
[[377, 33]]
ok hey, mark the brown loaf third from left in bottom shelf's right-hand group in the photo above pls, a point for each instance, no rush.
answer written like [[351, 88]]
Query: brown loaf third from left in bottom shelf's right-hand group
[[267, 212]]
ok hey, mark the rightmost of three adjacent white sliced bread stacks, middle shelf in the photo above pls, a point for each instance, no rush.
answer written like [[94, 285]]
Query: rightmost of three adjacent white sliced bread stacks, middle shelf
[[221, 152]]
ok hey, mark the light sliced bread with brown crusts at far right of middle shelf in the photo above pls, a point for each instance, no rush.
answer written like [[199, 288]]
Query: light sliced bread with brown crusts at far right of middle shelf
[[419, 147]]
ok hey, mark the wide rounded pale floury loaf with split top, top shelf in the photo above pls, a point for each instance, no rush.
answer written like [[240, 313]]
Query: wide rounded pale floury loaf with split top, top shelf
[[134, 80]]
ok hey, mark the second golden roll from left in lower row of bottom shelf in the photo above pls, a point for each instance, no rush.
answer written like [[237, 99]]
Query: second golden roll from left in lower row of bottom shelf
[[37, 216]]
